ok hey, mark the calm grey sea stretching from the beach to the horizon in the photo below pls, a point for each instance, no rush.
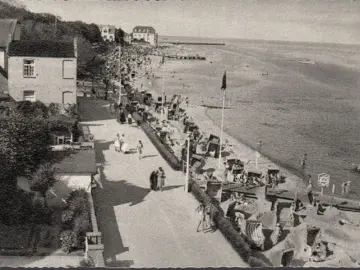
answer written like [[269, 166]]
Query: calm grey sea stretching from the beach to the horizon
[[296, 98]]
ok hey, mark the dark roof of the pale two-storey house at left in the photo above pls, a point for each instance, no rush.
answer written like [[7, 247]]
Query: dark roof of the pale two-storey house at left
[[41, 48]]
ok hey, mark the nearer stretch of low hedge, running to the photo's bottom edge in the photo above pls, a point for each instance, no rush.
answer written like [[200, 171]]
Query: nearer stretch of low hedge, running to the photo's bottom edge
[[252, 257]]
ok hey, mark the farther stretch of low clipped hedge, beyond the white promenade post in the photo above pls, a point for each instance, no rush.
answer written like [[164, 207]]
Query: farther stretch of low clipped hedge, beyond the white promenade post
[[163, 149]]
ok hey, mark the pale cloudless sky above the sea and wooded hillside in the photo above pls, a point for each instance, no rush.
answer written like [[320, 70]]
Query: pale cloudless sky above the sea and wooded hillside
[[331, 21]]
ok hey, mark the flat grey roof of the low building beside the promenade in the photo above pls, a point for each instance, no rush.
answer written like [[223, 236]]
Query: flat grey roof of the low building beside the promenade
[[81, 161]]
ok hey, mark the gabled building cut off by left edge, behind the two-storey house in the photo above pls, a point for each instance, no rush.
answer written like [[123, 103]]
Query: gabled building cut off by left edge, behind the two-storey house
[[9, 31]]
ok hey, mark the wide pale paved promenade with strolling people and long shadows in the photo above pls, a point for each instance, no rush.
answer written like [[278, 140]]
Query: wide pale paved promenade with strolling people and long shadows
[[142, 228]]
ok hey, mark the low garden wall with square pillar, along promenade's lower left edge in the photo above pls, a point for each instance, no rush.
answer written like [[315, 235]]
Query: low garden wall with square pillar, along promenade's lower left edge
[[94, 247]]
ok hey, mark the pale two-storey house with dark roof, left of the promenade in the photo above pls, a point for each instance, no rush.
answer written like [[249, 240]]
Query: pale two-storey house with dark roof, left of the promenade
[[42, 70]]
